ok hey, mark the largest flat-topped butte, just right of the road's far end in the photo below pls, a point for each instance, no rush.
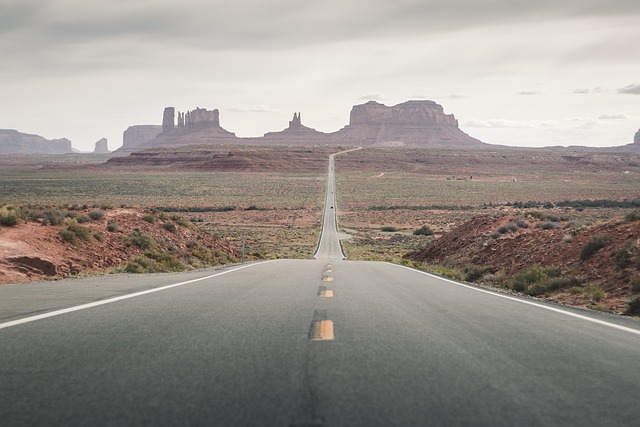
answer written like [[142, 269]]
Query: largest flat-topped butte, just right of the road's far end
[[412, 124]]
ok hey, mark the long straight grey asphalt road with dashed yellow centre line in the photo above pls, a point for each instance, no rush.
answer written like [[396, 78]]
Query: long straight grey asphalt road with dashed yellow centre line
[[322, 342]]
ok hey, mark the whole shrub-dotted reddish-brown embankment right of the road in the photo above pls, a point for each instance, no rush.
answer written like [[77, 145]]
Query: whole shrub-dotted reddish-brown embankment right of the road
[[545, 254]]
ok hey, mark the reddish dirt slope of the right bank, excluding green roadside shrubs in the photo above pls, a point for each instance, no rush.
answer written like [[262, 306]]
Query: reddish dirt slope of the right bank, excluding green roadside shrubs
[[478, 242]]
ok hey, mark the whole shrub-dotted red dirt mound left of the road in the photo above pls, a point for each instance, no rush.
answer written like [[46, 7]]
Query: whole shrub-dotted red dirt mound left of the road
[[59, 243]]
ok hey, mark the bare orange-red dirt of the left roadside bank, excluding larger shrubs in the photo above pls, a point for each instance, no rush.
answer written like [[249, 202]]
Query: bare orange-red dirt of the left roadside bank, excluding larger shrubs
[[33, 251]]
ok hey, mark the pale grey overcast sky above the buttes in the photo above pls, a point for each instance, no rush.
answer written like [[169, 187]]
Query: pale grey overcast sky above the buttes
[[514, 72]]
